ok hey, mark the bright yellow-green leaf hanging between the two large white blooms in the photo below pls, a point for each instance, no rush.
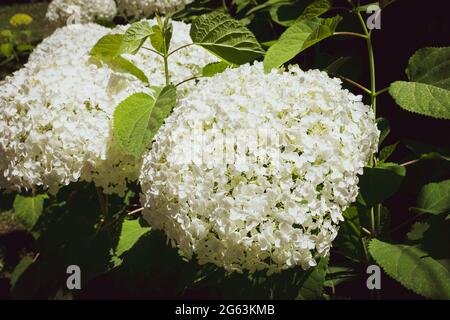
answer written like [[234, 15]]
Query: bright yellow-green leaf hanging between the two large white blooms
[[138, 118]]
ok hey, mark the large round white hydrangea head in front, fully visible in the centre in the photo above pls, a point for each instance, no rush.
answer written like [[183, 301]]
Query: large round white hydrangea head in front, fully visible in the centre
[[252, 171]]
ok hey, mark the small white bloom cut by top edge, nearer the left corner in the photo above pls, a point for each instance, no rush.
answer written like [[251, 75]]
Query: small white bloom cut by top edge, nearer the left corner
[[62, 12]]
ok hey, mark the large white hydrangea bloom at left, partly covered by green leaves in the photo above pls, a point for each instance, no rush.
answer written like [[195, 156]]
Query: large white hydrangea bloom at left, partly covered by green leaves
[[56, 112]]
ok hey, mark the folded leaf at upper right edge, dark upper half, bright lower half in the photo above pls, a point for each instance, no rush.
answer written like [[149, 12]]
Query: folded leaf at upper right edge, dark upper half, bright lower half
[[428, 90]]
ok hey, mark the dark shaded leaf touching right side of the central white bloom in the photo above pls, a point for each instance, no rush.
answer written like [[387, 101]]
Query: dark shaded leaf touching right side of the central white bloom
[[379, 183]]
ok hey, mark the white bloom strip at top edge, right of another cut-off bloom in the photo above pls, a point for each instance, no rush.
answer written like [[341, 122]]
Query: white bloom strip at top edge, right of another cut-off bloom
[[147, 8]]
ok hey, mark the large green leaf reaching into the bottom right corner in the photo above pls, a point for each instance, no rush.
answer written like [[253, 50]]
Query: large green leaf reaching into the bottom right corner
[[413, 268]]
